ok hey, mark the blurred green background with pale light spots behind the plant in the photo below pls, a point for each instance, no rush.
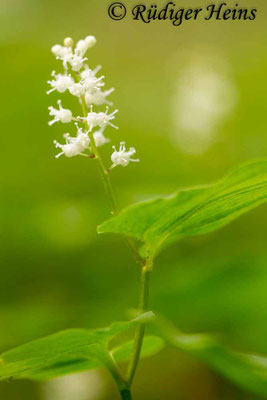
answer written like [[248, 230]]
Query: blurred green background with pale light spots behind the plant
[[55, 271]]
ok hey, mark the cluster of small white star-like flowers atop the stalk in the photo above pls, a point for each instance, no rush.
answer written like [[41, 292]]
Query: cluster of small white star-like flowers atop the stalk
[[82, 82]]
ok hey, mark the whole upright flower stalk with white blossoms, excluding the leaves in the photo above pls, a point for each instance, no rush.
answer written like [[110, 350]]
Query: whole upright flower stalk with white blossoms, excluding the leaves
[[81, 81]]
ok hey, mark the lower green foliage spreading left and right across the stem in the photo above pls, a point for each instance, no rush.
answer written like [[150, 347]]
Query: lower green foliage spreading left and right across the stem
[[78, 350]]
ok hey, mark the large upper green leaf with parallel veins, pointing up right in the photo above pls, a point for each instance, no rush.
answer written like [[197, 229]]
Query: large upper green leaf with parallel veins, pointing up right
[[193, 211]]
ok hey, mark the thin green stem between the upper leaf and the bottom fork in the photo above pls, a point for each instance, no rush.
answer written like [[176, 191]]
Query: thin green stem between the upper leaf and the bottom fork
[[143, 304]]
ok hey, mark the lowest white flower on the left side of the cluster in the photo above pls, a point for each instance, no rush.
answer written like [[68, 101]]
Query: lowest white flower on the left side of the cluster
[[74, 145]]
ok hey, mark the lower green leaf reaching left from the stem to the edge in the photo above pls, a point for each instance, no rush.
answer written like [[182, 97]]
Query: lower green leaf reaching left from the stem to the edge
[[63, 350]]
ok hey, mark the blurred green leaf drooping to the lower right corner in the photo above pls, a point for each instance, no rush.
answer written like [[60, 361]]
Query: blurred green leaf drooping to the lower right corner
[[246, 370]]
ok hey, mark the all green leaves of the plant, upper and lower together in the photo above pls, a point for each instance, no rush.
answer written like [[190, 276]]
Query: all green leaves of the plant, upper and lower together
[[189, 212]]
